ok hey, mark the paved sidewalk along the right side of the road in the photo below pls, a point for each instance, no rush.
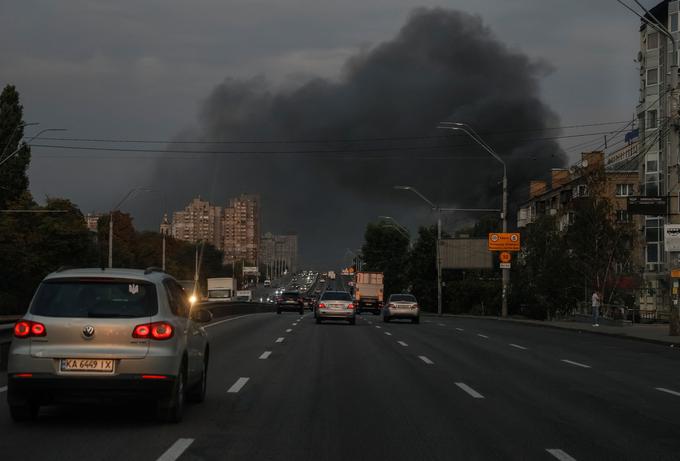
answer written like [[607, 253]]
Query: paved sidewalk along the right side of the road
[[642, 332]]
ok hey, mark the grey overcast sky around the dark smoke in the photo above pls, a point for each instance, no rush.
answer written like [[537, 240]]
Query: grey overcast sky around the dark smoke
[[140, 69]]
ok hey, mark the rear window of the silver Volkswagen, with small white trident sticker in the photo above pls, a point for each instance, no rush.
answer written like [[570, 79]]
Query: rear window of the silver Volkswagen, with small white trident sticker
[[95, 298]]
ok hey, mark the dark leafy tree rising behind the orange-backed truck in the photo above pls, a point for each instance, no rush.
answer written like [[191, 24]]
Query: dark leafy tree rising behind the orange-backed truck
[[385, 250]]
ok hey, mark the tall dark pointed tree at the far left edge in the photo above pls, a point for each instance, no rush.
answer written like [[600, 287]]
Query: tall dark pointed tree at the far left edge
[[13, 173]]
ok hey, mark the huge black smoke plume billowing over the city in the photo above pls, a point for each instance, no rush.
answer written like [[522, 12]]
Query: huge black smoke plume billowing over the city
[[348, 142]]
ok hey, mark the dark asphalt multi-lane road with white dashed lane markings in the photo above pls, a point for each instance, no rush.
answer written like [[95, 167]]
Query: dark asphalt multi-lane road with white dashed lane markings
[[281, 388]]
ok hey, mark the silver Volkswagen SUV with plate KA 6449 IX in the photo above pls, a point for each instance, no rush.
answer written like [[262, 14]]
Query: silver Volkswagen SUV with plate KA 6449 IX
[[98, 334]]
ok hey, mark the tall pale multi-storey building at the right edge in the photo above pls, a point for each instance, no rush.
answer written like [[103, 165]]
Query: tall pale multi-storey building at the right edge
[[658, 150]]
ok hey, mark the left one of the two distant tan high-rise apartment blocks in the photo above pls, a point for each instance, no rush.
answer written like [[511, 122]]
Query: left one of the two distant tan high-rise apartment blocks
[[200, 221]]
